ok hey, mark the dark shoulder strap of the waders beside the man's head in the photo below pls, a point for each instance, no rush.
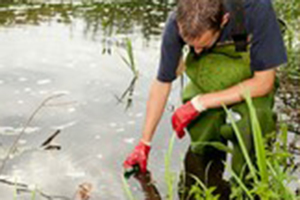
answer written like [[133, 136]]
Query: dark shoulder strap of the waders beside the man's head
[[239, 32]]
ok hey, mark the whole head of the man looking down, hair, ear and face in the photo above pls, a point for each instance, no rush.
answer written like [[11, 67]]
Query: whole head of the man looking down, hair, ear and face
[[200, 22]]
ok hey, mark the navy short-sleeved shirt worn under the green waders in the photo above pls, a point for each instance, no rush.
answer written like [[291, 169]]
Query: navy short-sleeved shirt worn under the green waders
[[267, 47]]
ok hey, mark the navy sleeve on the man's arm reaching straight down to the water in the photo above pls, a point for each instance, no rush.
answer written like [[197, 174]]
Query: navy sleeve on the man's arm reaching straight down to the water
[[171, 51]]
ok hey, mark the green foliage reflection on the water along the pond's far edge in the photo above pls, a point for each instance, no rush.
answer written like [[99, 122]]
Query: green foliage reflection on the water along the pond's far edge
[[107, 18]]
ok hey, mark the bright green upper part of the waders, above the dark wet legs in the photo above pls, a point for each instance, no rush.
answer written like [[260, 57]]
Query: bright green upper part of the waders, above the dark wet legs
[[219, 69]]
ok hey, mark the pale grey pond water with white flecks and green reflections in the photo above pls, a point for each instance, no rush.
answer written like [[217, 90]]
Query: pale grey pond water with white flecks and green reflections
[[77, 51]]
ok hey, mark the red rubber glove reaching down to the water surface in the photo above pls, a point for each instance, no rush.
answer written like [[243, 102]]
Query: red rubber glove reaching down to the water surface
[[138, 156]]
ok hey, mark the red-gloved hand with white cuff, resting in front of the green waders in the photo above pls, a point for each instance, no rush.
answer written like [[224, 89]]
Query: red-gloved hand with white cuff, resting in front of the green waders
[[185, 114]]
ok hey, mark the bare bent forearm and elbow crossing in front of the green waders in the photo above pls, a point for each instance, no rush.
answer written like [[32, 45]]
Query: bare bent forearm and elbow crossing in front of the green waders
[[261, 84]]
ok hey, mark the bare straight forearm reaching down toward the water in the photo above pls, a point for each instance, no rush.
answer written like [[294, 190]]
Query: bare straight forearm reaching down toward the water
[[158, 97]]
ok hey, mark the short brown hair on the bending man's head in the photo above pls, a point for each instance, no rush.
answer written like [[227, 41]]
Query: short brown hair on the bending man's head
[[198, 16]]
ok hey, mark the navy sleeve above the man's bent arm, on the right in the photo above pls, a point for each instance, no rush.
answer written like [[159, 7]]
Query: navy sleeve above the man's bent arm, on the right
[[267, 45]]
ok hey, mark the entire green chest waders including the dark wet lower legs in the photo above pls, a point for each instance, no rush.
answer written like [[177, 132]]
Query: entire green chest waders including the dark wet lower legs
[[219, 69]]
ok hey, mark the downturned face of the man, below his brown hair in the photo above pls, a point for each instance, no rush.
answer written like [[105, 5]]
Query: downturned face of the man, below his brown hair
[[205, 41]]
